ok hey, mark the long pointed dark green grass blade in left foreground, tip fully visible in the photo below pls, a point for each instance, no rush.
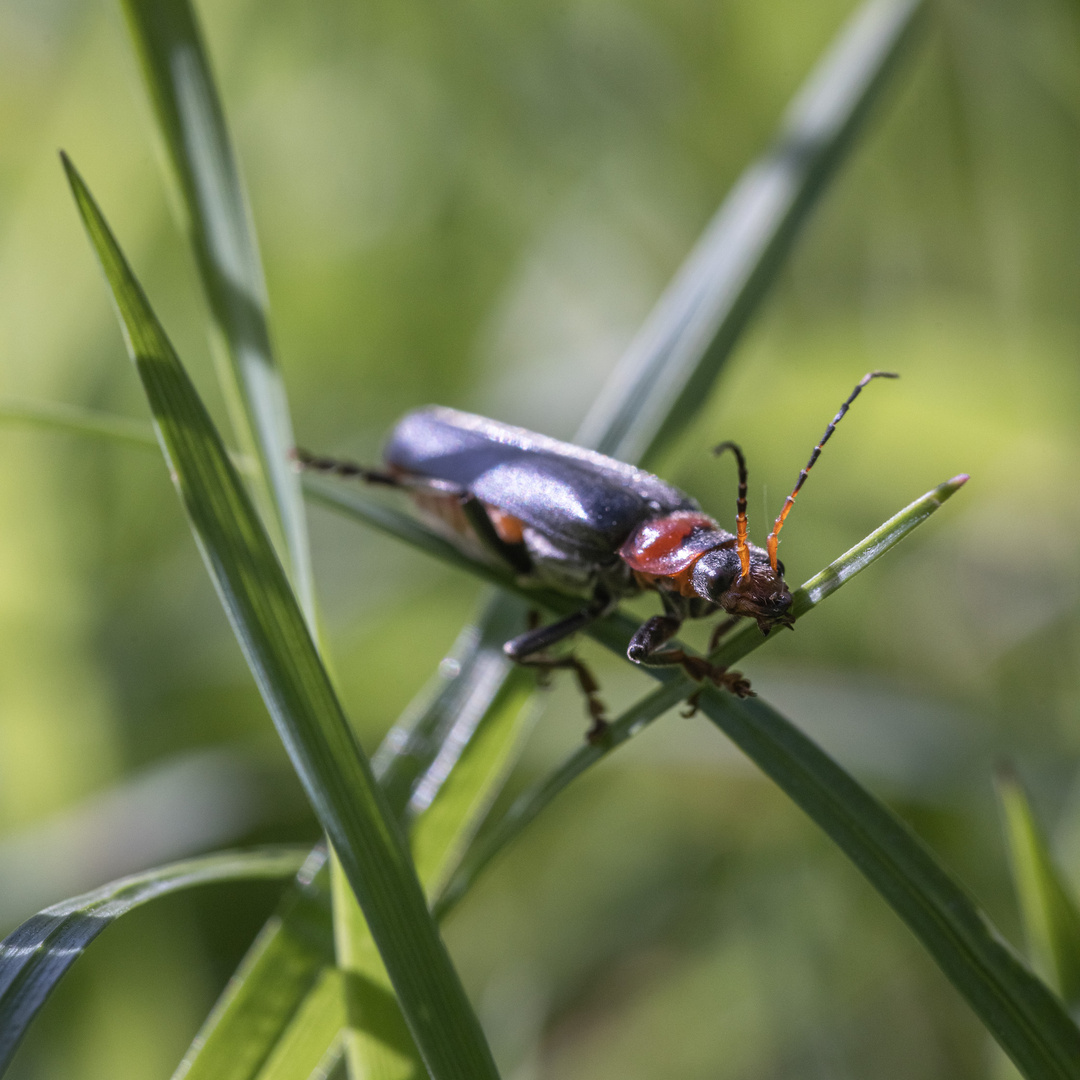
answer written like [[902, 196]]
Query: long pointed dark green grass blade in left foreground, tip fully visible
[[294, 684]]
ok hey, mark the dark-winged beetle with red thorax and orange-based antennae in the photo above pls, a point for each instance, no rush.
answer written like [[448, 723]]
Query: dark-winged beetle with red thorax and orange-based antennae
[[591, 525]]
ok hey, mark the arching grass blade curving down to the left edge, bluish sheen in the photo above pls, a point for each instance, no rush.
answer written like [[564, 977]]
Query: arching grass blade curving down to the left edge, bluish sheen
[[35, 957]]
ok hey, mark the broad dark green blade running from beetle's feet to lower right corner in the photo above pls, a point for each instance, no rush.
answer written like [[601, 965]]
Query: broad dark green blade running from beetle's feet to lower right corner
[[1019, 1010]]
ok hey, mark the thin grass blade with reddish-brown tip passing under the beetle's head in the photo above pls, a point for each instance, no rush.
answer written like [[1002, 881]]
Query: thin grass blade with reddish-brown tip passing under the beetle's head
[[678, 687]]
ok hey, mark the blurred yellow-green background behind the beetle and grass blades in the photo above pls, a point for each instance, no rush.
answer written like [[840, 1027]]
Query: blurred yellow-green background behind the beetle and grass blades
[[477, 205]]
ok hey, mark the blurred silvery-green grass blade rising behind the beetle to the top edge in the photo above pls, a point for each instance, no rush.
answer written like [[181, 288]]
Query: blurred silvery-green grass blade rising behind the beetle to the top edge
[[667, 373]]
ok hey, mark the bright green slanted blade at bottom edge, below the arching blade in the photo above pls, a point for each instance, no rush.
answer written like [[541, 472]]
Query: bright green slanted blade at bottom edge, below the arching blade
[[268, 992]]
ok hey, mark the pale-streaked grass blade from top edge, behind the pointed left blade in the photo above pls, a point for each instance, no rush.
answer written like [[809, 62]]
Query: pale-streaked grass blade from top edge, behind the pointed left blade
[[179, 77]]
